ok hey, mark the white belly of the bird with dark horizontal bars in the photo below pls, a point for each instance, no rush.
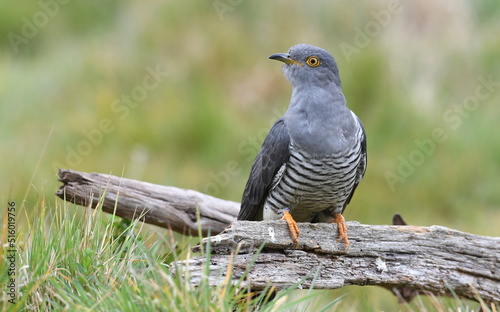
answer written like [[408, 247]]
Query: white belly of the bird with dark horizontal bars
[[313, 189]]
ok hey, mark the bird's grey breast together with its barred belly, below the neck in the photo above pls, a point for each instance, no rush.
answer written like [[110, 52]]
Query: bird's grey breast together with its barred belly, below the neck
[[325, 152]]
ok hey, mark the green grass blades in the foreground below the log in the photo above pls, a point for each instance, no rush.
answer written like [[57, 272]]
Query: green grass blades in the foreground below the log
[[103, 263]]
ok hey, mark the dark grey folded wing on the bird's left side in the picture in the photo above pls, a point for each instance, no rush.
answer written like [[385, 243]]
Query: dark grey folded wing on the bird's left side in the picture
[[274, 153]]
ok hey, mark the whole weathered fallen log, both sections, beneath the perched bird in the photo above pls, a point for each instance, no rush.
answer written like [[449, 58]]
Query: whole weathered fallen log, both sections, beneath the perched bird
[[405, 259]]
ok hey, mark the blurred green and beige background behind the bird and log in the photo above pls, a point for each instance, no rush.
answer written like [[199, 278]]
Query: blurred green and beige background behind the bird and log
[[76, 78]]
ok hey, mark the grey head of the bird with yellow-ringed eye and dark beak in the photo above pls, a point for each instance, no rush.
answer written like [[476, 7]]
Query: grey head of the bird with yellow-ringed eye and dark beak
[[308, 65]]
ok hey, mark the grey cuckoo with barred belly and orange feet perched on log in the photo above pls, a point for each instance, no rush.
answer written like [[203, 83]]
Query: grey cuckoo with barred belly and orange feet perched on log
[[314, 156]]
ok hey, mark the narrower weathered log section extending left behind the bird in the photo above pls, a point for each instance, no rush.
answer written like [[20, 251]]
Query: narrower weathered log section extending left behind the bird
[[164, 206]]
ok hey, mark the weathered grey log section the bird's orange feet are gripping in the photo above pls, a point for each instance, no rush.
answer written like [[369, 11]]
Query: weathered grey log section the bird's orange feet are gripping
[[434, 259]]
